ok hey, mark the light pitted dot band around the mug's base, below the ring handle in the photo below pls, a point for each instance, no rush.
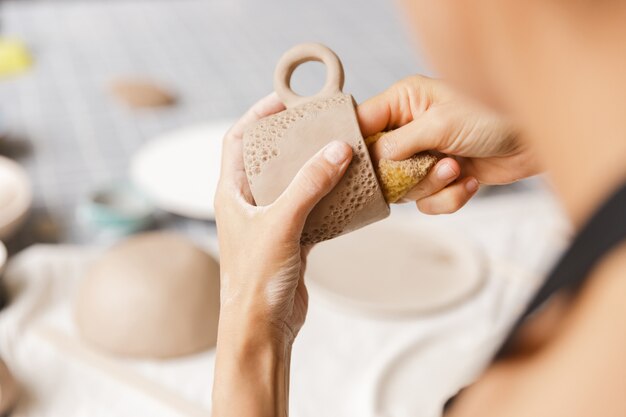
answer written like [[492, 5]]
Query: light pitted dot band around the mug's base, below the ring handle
[[266, 133]]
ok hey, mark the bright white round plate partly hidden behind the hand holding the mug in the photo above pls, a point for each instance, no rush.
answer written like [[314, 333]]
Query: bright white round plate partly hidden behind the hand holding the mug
[[179, 170]]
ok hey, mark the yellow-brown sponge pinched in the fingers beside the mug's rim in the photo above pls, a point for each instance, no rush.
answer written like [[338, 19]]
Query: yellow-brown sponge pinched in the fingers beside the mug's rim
[[398, 177]]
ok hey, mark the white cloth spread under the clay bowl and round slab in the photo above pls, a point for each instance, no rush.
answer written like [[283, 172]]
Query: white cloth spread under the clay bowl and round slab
[[343, 364]]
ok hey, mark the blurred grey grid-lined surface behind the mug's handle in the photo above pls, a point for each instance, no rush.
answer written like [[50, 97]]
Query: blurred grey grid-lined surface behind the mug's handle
[[63, 122]]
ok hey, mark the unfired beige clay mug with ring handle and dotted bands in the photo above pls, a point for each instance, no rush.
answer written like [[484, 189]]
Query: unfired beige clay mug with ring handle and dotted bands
[[276, 147]]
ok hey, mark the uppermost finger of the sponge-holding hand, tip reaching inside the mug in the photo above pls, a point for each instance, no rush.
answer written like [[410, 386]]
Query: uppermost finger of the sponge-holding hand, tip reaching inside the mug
[[396, 106]]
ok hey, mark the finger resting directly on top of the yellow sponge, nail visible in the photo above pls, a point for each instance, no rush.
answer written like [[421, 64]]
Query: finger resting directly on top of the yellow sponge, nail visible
[[432, 130]]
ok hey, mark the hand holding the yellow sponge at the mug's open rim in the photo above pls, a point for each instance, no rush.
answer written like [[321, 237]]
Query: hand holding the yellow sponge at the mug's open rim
[[425, 115]]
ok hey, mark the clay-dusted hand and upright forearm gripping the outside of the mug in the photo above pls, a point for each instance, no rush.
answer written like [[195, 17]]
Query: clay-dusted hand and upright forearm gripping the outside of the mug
[[263, 296]]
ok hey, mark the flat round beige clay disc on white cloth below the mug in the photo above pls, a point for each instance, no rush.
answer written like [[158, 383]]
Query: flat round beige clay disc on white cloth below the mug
[[395, 268]]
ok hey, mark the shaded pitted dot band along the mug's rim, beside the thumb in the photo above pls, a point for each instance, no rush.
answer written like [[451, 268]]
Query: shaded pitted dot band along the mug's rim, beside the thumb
[[352, 195]]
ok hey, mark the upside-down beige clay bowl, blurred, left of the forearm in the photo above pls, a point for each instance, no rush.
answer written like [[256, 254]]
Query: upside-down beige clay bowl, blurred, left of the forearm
[[155, 295]]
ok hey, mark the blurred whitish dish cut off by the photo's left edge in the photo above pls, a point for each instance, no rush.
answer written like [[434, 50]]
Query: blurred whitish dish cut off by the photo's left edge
[[15, 197]]
